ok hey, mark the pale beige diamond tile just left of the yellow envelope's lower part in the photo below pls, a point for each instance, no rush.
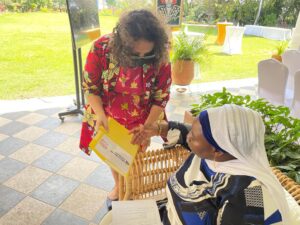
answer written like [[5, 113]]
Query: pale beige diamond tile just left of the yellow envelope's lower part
[[78, 169]]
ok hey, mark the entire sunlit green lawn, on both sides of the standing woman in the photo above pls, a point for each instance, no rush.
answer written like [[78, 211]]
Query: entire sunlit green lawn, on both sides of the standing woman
[[36, 56]]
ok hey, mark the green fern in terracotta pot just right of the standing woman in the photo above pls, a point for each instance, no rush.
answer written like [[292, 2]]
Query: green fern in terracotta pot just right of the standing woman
[[185, 52]]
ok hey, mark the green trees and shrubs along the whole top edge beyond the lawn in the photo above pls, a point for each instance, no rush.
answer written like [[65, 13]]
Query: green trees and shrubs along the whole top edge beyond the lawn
[[281, 13]]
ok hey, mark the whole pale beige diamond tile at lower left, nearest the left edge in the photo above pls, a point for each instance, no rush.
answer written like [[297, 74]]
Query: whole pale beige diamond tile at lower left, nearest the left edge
[[28, 179]]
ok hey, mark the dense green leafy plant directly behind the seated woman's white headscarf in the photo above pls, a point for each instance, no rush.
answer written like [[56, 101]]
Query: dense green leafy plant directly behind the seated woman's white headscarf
[[282, 135]]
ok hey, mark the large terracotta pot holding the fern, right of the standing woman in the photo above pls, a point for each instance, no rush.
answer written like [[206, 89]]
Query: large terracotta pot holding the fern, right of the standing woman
[[183, 72]]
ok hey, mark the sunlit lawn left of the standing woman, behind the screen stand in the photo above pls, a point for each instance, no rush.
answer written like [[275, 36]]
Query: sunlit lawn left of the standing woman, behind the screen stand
[[36, 54]]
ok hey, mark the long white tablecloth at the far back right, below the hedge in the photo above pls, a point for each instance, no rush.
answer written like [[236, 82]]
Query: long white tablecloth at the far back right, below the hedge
[[274, 33]]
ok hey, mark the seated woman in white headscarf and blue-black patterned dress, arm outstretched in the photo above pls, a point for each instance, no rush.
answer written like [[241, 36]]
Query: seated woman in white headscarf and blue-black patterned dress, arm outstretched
[[227, 179]]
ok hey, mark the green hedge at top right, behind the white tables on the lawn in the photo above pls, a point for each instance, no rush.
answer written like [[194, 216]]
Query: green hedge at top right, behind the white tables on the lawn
[[281, 13]]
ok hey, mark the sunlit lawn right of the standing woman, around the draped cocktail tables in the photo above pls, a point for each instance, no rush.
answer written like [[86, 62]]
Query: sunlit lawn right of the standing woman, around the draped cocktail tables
[[226, 67]]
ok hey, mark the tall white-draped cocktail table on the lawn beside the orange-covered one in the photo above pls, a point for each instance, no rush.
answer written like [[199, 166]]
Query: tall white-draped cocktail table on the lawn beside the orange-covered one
[[233, 40]]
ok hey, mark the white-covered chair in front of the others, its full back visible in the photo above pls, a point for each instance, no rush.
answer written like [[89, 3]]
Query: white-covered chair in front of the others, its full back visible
[[272, 79]]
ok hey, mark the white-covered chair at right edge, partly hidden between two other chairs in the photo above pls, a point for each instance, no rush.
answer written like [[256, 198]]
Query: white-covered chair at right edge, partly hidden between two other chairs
[[291, 58]]
